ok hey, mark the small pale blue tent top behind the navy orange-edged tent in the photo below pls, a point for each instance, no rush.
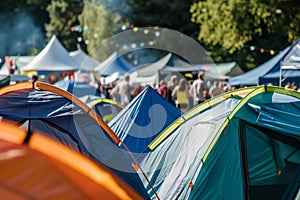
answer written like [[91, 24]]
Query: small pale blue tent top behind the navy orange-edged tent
[[79, 89]]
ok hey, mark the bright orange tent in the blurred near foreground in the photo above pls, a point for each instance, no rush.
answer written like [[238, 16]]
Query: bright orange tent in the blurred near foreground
[[38, 167]]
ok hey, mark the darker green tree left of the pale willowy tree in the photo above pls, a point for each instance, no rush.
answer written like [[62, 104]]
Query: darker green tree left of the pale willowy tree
[[63, 15]]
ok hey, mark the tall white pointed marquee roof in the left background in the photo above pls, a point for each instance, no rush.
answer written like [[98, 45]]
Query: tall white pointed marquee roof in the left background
[[54, 57]]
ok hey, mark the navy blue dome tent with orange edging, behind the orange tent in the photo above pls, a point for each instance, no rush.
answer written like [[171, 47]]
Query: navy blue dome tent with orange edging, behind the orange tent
[[42, 107]]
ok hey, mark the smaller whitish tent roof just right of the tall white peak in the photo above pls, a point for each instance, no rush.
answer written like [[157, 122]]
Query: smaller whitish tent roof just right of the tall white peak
[[85, 61]]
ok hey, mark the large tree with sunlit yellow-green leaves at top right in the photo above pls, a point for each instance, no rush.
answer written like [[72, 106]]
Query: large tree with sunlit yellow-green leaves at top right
[[230, 27]]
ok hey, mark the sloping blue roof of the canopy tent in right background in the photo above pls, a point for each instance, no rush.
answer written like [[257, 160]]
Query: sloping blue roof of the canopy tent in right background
[[251, 78]]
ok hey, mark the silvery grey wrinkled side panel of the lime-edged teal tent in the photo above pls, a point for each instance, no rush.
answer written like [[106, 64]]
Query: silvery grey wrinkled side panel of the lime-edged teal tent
[[172, 165]]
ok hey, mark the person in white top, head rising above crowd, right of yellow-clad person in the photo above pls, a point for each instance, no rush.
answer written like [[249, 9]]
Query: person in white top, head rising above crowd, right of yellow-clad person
[[199, 89]]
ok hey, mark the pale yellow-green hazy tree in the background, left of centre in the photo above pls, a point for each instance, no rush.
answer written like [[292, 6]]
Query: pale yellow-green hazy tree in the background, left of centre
[[99, 23]]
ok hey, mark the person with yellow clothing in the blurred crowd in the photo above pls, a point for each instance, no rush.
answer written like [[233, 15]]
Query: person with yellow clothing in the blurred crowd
[[181, 94]]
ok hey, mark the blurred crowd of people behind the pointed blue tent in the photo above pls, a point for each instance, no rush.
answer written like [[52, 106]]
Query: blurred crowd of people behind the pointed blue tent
[[182, 93]]
